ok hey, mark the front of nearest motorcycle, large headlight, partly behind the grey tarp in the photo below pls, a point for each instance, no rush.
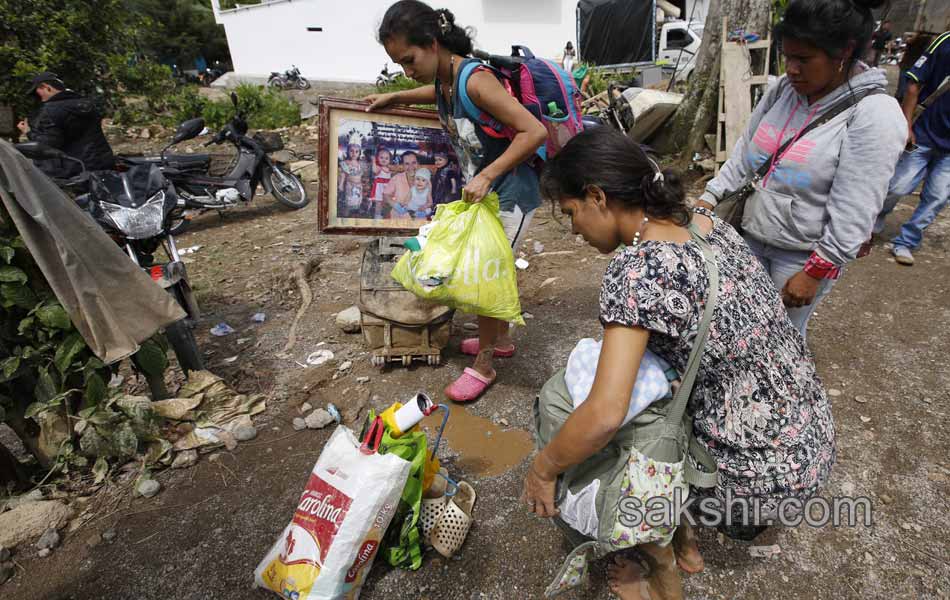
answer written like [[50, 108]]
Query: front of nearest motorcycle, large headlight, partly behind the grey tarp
[[137, 209]]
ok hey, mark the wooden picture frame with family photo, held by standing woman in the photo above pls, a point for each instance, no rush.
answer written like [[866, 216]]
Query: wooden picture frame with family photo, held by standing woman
[[384, 172]]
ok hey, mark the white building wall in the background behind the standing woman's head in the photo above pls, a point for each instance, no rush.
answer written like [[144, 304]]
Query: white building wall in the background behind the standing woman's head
[[272, 36]]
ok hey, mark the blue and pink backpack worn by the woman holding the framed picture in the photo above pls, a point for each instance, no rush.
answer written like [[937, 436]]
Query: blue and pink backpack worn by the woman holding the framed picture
[[545, 89]]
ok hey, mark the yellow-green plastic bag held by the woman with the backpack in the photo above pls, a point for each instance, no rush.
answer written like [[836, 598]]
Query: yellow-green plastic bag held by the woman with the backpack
[[466, 263]]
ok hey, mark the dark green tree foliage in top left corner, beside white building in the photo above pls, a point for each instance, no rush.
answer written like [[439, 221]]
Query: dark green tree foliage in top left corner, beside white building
[[104, 47]]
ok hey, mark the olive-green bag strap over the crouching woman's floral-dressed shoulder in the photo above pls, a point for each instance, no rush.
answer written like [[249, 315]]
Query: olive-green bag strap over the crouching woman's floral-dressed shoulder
[[708, 476]]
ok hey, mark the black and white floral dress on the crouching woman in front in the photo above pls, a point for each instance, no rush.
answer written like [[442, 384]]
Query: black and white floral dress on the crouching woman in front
[[758, 404]]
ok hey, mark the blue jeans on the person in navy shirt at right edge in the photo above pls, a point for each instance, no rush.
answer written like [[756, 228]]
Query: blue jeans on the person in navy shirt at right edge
[[912, 168]]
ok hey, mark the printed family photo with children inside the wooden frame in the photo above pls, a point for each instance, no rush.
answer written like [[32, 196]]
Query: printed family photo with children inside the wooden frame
[[393, 172]]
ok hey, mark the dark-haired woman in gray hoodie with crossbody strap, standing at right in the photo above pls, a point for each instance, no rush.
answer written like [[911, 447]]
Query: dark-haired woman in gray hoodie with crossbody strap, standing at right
[[815, 207]]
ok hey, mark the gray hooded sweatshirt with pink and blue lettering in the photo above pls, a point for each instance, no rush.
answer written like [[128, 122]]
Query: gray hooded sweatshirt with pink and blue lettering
[[830, 185]]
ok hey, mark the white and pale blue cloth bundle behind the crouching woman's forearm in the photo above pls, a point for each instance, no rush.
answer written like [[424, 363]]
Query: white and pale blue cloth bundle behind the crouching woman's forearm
[[652, 383]]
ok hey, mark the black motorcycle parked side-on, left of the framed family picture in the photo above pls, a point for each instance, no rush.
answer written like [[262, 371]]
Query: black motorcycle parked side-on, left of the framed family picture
[[202, 192]]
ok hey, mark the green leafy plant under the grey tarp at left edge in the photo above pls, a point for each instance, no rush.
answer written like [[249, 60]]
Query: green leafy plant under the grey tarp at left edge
[[53, 390]]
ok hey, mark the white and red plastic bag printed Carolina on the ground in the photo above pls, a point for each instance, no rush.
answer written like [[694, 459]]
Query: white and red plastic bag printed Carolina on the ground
[[328, 548]]
